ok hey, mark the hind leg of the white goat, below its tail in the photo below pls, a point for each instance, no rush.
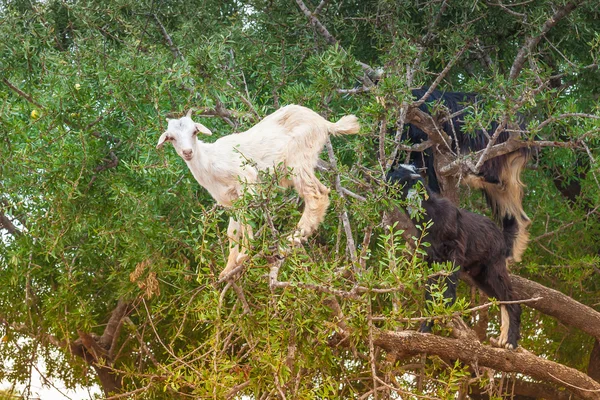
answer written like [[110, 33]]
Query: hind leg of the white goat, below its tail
[[316, 201]]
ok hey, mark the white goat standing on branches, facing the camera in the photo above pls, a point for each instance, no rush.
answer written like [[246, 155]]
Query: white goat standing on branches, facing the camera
[[291, 137]]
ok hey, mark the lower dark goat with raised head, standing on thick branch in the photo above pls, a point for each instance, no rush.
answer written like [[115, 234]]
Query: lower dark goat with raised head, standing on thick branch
[[469, 240]]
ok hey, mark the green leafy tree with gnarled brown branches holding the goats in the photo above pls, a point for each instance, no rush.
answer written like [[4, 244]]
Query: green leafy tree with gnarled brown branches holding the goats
[[110, 252]]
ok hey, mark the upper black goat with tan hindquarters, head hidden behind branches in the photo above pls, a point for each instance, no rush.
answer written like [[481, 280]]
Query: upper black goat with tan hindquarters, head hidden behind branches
[[499, 177]]
